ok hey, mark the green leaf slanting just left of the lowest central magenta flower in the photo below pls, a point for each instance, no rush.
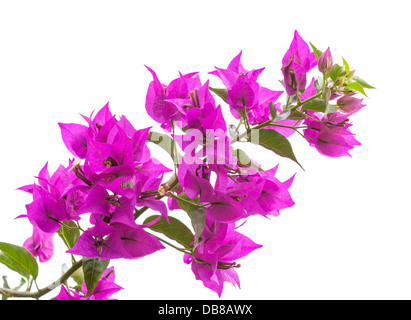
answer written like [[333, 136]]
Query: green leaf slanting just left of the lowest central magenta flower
[[175, 230]]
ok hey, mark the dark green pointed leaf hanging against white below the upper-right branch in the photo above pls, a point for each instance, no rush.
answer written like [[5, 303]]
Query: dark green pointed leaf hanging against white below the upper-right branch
[[274, 141]]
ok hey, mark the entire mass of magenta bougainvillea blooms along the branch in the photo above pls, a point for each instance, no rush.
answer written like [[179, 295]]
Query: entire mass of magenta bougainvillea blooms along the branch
[[113, 178]]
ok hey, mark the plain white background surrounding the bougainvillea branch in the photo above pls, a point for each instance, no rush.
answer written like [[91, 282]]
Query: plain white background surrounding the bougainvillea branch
[[347, 237]]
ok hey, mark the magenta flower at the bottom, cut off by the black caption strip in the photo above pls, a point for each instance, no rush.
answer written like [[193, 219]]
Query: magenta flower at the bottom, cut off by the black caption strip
[[104, 289]]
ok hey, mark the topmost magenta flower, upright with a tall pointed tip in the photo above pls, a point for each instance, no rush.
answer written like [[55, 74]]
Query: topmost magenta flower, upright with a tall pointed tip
[[296, 63]]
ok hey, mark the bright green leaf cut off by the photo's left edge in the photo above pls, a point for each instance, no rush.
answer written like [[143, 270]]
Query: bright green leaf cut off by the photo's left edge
[[18, 259]]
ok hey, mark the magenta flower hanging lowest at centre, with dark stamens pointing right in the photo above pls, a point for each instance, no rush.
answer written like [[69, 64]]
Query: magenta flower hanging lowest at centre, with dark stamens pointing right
[[214, 260]]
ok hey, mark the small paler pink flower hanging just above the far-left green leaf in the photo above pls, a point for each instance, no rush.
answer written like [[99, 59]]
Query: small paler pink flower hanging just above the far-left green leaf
[[40, 244]]
